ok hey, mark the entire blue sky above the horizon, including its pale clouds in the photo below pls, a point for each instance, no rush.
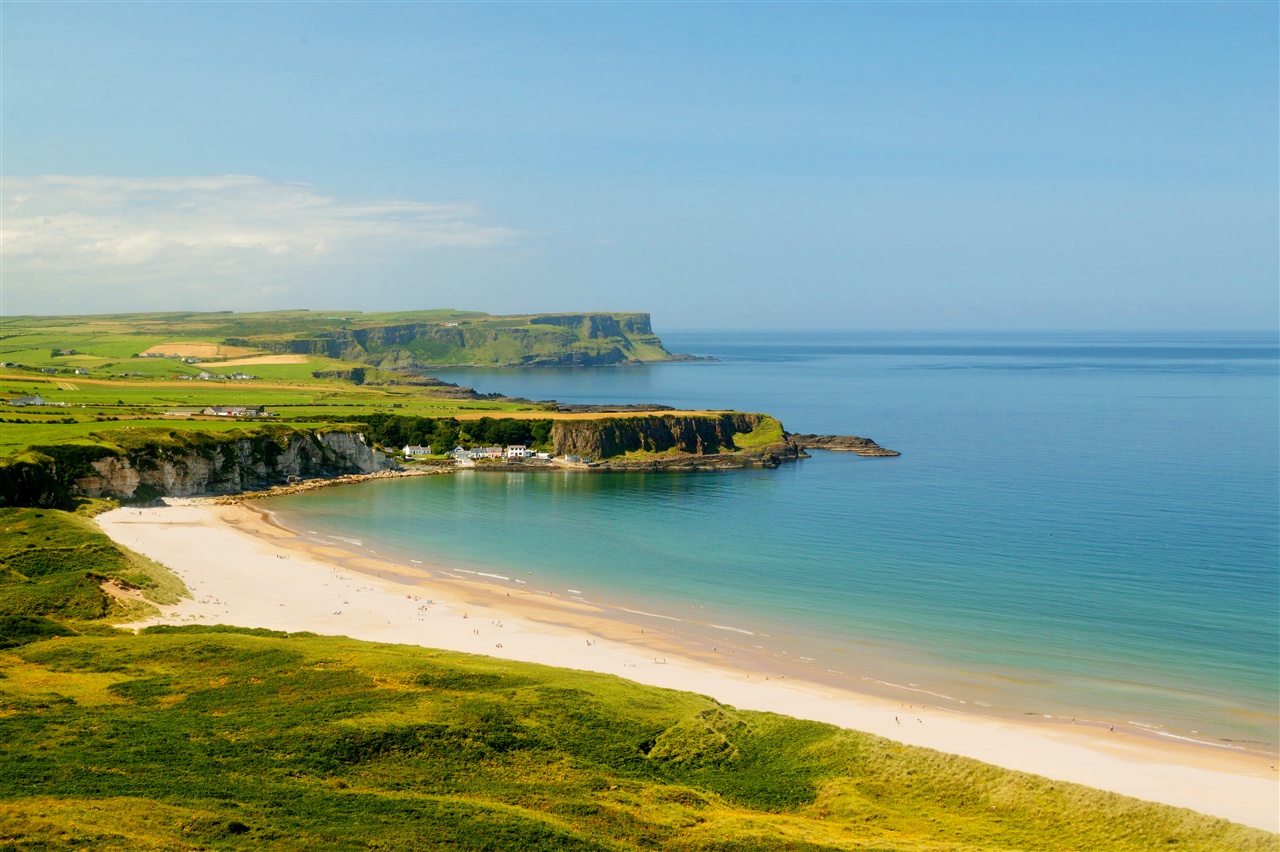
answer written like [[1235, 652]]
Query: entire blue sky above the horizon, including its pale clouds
[[803, 166]]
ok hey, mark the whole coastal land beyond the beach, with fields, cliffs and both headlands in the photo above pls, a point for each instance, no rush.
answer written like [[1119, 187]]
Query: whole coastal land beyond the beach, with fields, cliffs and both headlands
[[135, 407]]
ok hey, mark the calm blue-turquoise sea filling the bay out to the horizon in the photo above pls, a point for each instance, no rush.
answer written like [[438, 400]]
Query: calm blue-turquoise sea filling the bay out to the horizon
[[1081, 525]]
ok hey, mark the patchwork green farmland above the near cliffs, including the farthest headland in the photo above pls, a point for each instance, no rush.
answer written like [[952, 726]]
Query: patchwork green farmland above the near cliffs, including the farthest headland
[[326, 365]]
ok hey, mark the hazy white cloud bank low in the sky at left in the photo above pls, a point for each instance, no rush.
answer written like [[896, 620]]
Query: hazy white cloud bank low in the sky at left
[[66, 237]]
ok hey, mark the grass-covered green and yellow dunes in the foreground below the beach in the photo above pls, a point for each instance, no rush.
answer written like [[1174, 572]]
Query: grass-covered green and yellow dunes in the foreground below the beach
[[212, 738]]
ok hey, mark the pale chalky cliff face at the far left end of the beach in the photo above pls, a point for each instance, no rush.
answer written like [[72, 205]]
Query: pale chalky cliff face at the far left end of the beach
[[232, 466]]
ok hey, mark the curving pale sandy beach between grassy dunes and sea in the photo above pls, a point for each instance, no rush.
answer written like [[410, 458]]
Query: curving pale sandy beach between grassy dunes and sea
[[244, 570]]
